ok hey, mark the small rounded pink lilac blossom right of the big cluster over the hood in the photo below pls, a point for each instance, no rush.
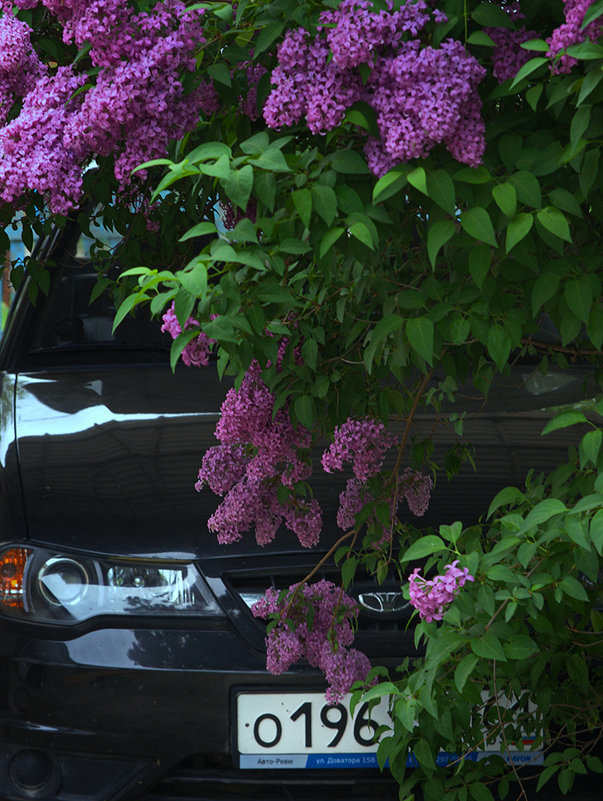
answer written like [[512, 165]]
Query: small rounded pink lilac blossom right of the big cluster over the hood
[[362, 442]]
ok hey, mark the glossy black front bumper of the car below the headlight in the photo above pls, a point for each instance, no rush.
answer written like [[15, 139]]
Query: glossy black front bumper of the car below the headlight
[[123, 714]]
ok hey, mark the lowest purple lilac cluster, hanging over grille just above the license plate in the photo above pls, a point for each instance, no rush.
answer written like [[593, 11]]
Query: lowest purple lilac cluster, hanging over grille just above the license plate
[[322, 616]]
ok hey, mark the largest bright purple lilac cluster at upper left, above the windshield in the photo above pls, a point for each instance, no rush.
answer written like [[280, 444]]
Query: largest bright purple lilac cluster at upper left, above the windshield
[[136, 106]]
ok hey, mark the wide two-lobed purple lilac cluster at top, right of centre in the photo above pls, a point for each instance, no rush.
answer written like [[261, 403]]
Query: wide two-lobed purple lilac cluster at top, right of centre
[[422, 95]]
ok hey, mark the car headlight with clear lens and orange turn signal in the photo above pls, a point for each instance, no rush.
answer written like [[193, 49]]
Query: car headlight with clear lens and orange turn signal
[[65, 588]]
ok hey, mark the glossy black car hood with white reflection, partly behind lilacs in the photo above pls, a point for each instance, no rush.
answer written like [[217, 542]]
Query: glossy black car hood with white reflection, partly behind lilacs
[[109, 457]]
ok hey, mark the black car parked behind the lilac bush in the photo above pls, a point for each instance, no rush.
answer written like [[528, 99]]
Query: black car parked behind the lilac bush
[[130, 663]]
